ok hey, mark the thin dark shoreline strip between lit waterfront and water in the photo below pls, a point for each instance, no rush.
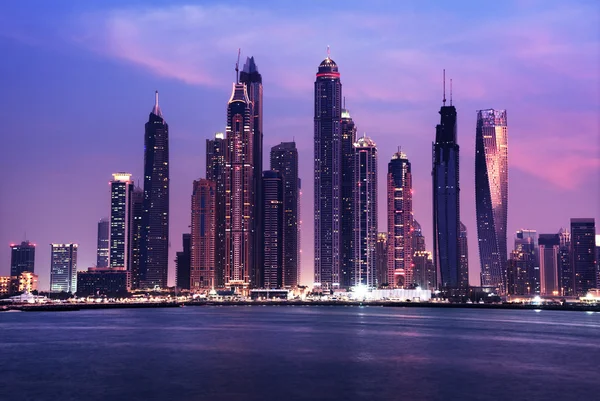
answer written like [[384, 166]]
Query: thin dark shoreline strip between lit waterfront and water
[[86, 306]]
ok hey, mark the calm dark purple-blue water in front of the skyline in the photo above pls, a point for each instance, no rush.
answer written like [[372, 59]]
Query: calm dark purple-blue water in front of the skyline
[[300, 353]]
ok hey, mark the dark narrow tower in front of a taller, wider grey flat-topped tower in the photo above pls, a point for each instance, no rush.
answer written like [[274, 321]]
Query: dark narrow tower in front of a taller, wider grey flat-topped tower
[[273, 234]]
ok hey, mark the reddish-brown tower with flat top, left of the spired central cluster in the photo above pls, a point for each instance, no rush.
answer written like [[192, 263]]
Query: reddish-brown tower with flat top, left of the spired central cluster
[[203, 234]]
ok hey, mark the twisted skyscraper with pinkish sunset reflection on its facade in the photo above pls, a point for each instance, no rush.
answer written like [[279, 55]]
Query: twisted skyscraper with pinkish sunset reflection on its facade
[[491, 195]]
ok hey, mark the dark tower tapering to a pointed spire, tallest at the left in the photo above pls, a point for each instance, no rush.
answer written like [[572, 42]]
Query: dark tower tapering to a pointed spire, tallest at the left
[[155, 219]]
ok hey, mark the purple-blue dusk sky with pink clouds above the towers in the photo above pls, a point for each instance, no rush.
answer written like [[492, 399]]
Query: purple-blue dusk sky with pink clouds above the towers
[[79, 81]]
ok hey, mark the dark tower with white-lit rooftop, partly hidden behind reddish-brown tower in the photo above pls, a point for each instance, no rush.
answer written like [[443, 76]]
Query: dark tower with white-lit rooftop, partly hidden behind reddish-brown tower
[[215, 172]]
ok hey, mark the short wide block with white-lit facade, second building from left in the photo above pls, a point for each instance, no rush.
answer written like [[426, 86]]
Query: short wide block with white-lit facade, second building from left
[[63, 268]]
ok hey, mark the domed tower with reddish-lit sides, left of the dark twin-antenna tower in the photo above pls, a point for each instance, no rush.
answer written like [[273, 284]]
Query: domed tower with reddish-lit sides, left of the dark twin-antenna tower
[[400, 217]]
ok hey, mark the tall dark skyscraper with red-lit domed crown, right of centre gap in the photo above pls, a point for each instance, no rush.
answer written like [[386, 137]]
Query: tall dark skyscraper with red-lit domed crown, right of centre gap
[[327, 194]]
